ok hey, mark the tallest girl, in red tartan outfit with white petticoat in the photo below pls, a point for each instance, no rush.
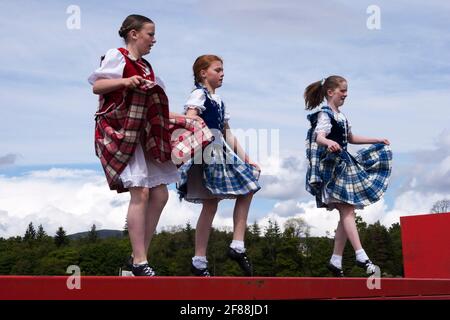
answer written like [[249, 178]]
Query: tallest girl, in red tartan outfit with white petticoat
[[122, 72]]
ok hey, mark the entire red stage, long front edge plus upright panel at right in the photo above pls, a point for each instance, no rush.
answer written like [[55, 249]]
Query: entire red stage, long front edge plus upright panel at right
[[426, 244]]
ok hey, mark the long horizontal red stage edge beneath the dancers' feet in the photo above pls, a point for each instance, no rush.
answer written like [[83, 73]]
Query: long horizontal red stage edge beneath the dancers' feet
[[218, 288]]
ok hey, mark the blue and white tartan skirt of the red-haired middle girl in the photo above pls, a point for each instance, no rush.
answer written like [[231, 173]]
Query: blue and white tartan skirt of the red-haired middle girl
[[225, 175]]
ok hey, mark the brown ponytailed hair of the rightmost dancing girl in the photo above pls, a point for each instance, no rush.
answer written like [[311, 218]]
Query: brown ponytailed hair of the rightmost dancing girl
[[317, 91]]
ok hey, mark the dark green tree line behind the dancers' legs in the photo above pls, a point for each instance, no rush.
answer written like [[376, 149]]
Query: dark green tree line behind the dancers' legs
[[292, 252]]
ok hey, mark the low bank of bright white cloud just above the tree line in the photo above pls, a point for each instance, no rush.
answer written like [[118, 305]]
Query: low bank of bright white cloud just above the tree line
[[76, 199]]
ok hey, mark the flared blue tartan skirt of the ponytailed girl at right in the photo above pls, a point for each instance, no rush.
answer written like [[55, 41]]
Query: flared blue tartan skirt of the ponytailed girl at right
[[359, 180]]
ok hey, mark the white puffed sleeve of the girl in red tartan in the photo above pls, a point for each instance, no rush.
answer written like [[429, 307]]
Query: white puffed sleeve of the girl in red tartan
[[111, 67]]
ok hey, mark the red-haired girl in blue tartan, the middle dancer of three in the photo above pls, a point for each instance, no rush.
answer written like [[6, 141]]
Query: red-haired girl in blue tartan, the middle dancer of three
[[224, 171]]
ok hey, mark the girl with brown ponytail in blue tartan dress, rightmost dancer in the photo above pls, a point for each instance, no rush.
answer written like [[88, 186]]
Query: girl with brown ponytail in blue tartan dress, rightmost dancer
[[336, 178]]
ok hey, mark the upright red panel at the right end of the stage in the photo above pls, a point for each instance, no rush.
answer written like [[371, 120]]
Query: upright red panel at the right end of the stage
[[426, 245]]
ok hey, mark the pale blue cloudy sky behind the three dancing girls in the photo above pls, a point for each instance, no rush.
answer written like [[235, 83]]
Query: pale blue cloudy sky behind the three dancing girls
[[398, 80]]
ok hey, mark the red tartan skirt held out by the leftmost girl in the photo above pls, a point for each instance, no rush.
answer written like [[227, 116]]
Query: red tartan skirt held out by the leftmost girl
[[144, 118]]
